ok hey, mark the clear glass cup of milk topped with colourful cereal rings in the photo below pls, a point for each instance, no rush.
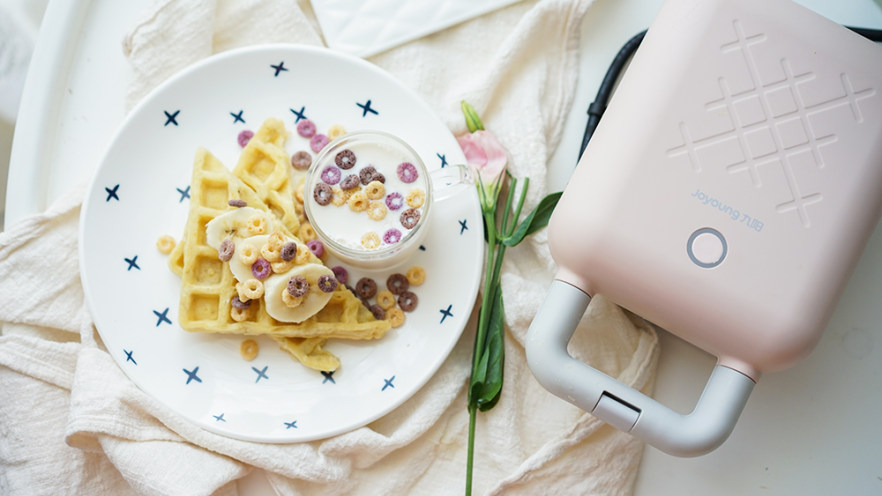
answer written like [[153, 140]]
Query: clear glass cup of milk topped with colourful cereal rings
[[369, 197]]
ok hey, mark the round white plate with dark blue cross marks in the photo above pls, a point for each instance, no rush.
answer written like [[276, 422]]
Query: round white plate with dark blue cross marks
[[140, 192]]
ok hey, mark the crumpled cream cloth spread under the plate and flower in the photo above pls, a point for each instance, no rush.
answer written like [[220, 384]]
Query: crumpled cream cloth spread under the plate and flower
[[72, 423]]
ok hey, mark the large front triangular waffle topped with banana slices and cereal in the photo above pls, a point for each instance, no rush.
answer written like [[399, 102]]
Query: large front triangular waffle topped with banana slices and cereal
[[208, 285]]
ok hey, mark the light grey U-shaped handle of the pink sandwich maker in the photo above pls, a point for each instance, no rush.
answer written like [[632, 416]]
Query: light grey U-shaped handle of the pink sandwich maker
[[625, 408]]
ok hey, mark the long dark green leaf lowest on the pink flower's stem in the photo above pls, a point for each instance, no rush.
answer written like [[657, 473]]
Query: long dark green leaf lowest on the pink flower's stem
[[493, 356]]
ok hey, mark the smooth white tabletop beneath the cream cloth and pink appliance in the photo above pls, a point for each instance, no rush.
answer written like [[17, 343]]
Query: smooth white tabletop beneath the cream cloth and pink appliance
[[811, 429]]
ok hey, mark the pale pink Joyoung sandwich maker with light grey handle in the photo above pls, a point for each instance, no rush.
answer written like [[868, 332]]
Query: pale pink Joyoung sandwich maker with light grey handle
[[725, 196]]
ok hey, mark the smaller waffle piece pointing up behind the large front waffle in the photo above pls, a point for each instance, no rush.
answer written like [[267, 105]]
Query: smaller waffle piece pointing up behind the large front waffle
[[264, 165]]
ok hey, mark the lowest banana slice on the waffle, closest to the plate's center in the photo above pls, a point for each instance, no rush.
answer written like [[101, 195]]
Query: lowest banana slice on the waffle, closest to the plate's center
[[314, 300]]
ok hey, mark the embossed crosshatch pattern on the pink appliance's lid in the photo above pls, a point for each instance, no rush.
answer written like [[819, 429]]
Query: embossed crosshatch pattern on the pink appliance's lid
[[776, 134]]
